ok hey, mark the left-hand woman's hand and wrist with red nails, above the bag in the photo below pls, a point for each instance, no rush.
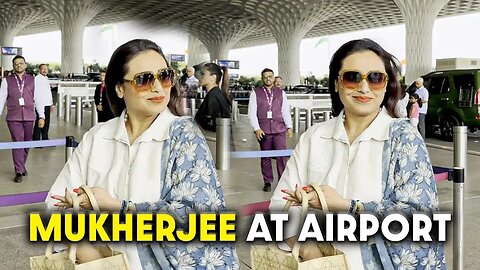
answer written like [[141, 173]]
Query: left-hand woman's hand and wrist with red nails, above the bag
[[105, 201]]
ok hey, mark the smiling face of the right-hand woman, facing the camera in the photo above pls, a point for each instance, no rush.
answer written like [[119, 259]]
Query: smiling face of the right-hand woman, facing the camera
[[361, 100]]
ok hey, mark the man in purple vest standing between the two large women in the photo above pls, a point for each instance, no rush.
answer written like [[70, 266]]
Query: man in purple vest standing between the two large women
[[269, 115]]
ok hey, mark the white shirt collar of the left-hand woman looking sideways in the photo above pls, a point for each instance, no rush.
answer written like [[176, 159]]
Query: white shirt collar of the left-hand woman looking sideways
[[158, 130]]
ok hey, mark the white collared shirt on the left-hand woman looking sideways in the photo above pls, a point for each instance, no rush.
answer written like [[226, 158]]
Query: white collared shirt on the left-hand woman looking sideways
[[105, 158]]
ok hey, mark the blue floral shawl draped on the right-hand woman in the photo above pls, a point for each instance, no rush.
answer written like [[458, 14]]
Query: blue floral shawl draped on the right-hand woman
[[408, 187]]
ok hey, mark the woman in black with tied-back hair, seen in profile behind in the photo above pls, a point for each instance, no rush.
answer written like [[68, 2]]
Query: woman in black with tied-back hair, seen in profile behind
[[215, 104]]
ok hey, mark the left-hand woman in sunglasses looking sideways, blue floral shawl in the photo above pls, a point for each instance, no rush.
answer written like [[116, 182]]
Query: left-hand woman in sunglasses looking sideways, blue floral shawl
[[148, 159]]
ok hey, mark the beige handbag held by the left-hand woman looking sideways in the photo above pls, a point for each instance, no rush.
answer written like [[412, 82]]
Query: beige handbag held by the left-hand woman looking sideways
[[65, 260]]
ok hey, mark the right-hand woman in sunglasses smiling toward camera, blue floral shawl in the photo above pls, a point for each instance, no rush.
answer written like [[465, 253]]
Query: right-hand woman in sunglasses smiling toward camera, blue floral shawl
[[365, 160]]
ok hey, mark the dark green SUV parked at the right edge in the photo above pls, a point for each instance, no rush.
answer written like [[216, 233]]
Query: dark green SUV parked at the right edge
[[453, 100]]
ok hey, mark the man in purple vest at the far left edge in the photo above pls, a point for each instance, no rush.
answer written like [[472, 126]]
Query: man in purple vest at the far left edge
[[18, 91]]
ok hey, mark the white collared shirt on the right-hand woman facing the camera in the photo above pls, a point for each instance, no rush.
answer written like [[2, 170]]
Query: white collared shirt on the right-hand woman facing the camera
[[324, 156]]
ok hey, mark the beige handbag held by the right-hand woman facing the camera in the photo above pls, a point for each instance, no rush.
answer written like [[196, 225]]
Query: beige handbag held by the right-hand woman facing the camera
[[266, 257]]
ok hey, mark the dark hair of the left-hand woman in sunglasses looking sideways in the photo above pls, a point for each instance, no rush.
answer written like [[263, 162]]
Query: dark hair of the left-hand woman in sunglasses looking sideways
[[117, 68]]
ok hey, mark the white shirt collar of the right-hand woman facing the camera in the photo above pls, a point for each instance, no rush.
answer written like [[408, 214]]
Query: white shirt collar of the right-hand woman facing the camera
[[378, 130]]
